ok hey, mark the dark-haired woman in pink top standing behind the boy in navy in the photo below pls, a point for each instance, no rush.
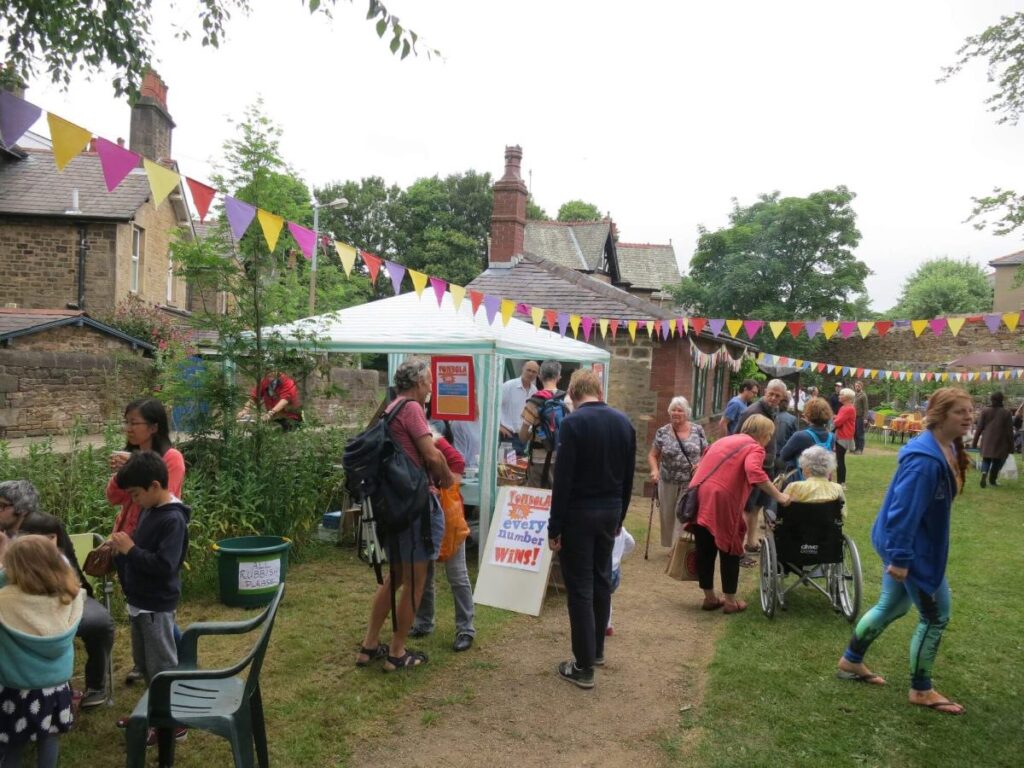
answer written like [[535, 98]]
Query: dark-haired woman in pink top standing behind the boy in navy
[[146, 430]]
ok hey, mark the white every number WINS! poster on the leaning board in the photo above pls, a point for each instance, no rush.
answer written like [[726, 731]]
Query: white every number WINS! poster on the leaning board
[[522, 529]]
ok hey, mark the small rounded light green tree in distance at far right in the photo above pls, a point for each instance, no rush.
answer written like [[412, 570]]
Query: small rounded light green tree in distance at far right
[[945, 286]]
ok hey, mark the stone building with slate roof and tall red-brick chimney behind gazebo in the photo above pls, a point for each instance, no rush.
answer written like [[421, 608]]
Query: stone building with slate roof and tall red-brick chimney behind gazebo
[[579, 268]]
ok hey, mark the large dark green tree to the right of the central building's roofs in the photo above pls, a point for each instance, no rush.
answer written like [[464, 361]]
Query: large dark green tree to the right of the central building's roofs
[[782, 259]]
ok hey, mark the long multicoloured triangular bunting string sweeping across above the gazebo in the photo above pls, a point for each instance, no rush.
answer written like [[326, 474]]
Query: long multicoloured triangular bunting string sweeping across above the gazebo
[[69, 140]]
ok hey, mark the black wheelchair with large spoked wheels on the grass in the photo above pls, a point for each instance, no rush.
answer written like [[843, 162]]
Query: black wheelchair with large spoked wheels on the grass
[[807, 543]]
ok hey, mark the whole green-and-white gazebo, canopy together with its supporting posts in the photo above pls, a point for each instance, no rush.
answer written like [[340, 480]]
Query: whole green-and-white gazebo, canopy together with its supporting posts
[[416, 325]]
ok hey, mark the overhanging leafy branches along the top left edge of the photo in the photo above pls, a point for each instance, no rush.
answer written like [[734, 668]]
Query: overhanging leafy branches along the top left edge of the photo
[[62, 36]]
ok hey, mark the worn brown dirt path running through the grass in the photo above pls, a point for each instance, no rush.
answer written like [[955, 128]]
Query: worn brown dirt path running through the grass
[[503, 704]]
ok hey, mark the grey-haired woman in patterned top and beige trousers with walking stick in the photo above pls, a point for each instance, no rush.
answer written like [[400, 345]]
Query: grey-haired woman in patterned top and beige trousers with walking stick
[[674, 458]]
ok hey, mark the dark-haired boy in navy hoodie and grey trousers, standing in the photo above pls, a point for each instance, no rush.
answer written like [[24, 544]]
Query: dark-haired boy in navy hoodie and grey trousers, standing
[[149, 562]]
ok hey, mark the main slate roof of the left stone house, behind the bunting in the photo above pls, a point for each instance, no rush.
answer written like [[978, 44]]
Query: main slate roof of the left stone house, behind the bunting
[[34, 187]]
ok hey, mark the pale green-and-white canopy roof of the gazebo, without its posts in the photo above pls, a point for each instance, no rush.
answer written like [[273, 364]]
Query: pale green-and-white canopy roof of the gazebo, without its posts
[[414, 324]]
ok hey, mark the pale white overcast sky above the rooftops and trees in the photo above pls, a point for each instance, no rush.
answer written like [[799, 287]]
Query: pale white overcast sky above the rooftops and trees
[[660, 113]]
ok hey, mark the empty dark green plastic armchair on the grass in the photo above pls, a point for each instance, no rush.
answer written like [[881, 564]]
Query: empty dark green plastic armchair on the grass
[[215, 701]]
